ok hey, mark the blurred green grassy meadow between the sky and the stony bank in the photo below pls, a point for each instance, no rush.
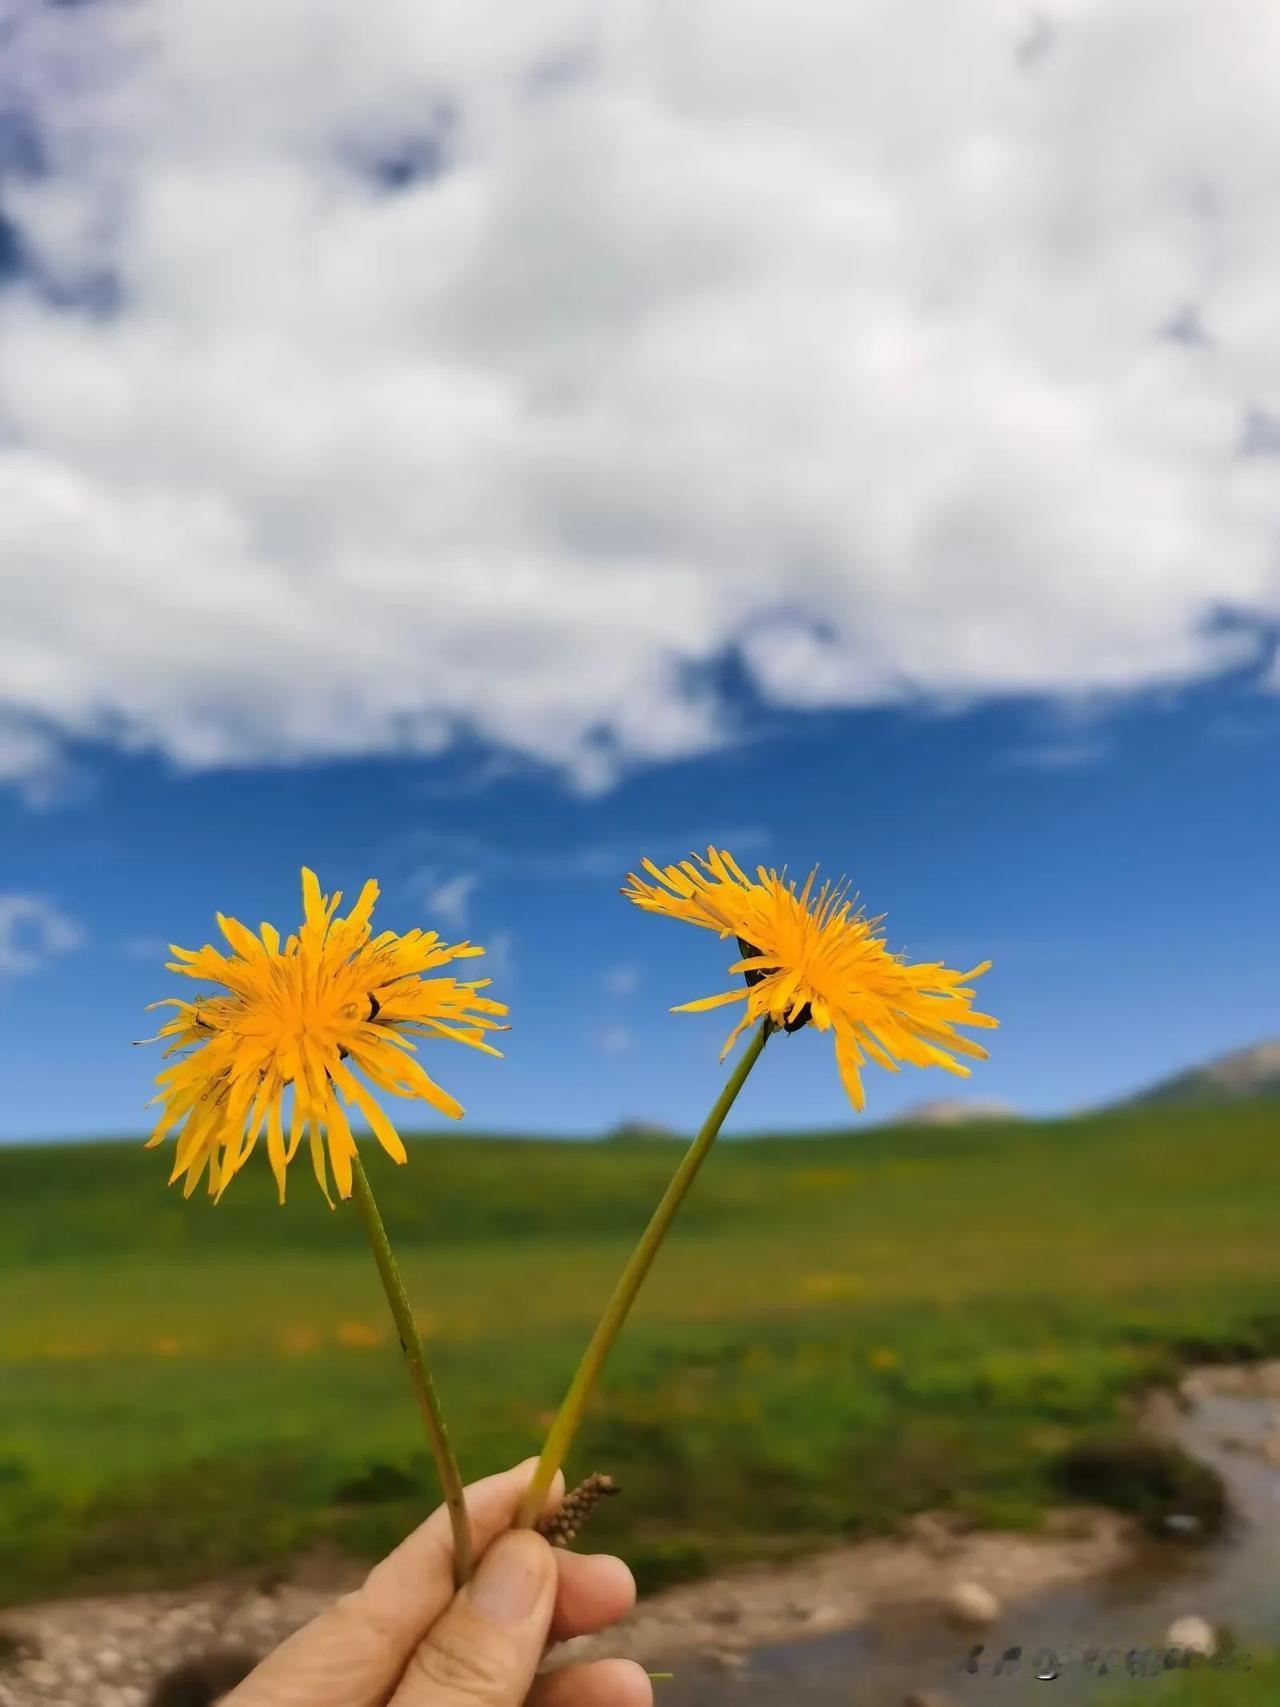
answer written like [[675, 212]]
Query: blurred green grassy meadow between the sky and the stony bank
[[842, 1331]]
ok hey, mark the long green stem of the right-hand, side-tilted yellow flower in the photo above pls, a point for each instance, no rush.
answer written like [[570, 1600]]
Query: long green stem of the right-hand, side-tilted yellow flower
[[569, 1418]]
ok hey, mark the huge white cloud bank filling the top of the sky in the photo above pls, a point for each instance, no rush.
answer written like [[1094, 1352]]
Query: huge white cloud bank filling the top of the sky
[[905, 352]]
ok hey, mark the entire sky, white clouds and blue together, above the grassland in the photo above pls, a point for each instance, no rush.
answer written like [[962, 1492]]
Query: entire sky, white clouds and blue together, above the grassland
[[486, 445]]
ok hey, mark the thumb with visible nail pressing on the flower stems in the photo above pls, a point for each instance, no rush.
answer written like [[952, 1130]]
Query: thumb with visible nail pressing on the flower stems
[[487, 1645]]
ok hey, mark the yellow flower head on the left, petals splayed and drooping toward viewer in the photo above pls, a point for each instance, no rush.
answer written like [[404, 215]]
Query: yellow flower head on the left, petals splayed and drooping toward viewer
[[332, 1003]]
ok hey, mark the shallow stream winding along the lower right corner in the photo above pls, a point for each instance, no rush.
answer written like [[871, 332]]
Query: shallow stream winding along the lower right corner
[[1233, 1582]]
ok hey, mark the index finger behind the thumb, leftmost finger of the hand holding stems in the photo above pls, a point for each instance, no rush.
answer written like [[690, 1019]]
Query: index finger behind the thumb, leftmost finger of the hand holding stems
[[356, 1653]]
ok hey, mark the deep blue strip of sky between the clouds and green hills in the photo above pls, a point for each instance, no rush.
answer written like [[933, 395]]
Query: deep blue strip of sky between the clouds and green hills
[[1117, 868]]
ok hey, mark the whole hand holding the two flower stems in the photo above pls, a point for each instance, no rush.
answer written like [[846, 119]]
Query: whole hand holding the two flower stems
[[407, 1640]]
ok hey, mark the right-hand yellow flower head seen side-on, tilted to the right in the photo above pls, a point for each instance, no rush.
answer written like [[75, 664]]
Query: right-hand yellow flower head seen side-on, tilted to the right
[[813, 958]]
